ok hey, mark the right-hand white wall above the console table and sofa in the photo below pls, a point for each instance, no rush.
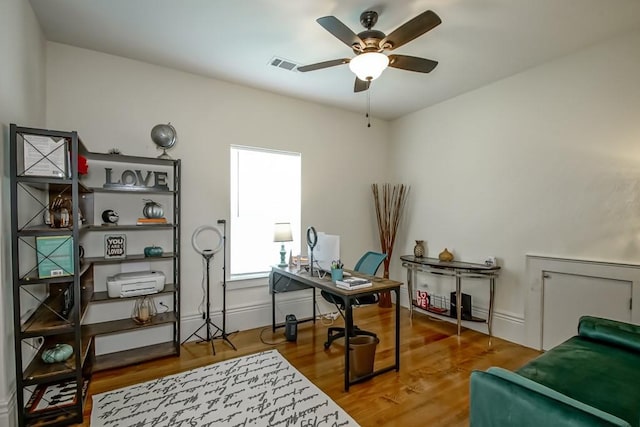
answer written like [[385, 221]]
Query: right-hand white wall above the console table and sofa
[[546, 162]]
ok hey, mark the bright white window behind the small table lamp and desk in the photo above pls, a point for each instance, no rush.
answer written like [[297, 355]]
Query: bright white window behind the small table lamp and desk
[[265, 189]]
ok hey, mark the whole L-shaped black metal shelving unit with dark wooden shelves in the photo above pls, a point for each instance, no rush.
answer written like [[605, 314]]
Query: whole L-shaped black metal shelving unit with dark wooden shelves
[[38, 323]]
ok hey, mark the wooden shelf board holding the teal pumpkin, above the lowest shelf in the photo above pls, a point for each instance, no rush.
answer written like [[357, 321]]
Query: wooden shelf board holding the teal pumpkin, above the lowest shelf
[[38, 371]]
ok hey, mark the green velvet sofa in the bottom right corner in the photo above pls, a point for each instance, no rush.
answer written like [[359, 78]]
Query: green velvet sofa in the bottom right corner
[[592, 379]]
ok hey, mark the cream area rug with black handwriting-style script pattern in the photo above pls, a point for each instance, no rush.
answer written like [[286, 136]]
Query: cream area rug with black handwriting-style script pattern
[[261, 389]]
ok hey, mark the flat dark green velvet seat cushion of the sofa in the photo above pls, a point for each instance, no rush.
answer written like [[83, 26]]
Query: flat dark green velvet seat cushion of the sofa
[[592, 372]]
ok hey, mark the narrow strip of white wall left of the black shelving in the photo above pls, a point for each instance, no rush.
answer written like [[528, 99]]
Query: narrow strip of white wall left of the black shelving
[[22, 101]]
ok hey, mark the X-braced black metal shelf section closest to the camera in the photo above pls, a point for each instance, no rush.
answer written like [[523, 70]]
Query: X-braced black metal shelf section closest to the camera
[[35, 372]]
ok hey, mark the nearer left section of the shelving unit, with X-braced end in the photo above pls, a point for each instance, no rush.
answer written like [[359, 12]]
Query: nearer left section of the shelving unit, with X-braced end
[[41, 319]]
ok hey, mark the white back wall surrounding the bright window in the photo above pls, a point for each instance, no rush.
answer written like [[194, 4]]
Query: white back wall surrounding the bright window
[[114, 102]]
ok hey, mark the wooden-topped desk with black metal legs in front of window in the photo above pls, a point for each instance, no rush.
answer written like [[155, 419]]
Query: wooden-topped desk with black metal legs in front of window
[[285, 280]]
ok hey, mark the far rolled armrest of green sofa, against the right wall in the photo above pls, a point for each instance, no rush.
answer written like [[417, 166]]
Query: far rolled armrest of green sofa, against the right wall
[[611, 332]]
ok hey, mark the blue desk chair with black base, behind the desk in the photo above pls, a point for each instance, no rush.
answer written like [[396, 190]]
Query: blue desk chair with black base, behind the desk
[[369, 264]]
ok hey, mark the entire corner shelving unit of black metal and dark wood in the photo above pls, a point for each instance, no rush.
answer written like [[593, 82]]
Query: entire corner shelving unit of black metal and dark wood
[[43, 316]]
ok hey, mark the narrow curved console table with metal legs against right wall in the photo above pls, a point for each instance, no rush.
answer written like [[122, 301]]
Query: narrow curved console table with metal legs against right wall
[[456, 269]]
